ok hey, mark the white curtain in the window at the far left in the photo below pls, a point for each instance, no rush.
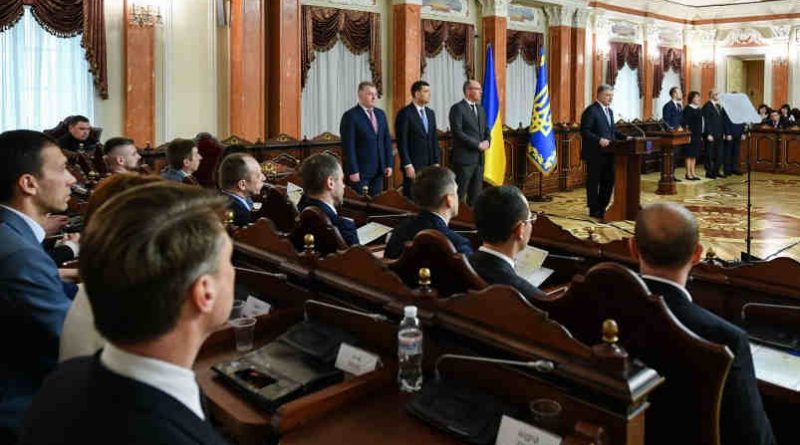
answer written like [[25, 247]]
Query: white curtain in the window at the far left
[[43, 78]]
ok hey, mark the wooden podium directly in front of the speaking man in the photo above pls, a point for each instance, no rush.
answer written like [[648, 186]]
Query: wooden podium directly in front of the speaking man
[[627, 176]]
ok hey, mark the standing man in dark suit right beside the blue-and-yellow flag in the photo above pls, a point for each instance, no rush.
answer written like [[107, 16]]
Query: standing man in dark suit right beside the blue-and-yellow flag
[[469, 127]]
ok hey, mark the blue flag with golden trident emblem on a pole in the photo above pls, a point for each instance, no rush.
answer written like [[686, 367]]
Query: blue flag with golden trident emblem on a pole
[[541, 139]]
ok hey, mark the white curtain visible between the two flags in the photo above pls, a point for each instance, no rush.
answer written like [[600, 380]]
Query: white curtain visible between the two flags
[[520, 92]]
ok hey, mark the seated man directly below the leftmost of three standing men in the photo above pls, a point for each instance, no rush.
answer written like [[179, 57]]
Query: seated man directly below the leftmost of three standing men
[[323, 182]]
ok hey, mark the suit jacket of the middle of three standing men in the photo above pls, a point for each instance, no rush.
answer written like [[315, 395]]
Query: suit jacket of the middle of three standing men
[[416, 147]]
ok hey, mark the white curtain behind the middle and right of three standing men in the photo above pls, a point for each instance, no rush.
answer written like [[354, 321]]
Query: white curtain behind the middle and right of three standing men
[[446, 76]]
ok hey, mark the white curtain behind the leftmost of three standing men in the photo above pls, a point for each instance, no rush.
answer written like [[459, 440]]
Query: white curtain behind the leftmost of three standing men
[[331, 89]]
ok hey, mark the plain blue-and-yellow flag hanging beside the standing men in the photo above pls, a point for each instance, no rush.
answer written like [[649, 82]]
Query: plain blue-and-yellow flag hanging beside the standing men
[[494, 170]]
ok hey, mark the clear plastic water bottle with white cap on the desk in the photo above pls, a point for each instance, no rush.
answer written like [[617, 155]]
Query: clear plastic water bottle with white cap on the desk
[[409, 351]]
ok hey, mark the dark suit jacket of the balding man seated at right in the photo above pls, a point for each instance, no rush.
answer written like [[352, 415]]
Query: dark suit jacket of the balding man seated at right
[[742, 417]]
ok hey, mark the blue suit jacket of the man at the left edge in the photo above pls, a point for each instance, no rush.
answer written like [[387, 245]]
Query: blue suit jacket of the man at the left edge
[[33, 305]]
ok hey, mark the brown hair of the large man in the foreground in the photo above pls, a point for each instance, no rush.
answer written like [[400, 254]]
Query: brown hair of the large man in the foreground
[[141, 253]]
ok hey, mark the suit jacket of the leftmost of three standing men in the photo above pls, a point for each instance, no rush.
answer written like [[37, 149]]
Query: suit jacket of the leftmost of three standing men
[[365, 152]]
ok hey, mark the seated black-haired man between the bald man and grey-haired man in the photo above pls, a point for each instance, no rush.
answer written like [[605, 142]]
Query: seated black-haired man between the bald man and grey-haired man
[[504, 224]]
